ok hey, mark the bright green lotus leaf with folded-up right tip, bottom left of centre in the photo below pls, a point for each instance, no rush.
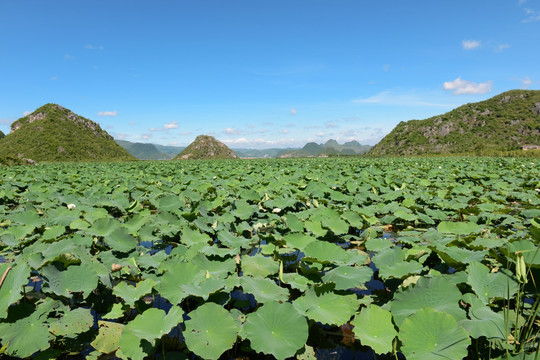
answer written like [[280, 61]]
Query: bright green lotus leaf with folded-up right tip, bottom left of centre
[[154, 323]]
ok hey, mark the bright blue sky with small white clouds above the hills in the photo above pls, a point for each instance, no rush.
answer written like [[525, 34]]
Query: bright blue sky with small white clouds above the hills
[[262, 73]]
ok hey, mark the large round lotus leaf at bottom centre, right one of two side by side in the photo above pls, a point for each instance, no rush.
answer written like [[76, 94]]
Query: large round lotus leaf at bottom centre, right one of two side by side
[[276, 329]]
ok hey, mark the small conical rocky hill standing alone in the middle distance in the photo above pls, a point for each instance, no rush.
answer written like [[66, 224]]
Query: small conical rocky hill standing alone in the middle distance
[[206, 147]]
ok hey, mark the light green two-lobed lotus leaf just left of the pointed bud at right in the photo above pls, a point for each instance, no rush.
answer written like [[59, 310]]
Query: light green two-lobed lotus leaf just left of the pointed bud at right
[[488, 285]]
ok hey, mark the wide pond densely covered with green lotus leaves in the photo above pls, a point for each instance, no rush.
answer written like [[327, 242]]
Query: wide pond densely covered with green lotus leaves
[[399, 258]]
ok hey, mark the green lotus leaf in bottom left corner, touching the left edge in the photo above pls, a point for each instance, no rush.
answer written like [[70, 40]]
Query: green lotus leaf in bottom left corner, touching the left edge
[[25, 336]]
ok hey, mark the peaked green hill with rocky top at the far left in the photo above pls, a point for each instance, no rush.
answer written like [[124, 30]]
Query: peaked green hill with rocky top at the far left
[[53, 133]]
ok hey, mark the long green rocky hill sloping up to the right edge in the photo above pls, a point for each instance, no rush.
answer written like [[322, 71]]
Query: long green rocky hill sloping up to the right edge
[[505, 122]]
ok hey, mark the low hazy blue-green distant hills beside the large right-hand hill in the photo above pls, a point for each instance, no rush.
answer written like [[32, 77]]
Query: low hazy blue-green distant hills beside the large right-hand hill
[[330, 148]]
